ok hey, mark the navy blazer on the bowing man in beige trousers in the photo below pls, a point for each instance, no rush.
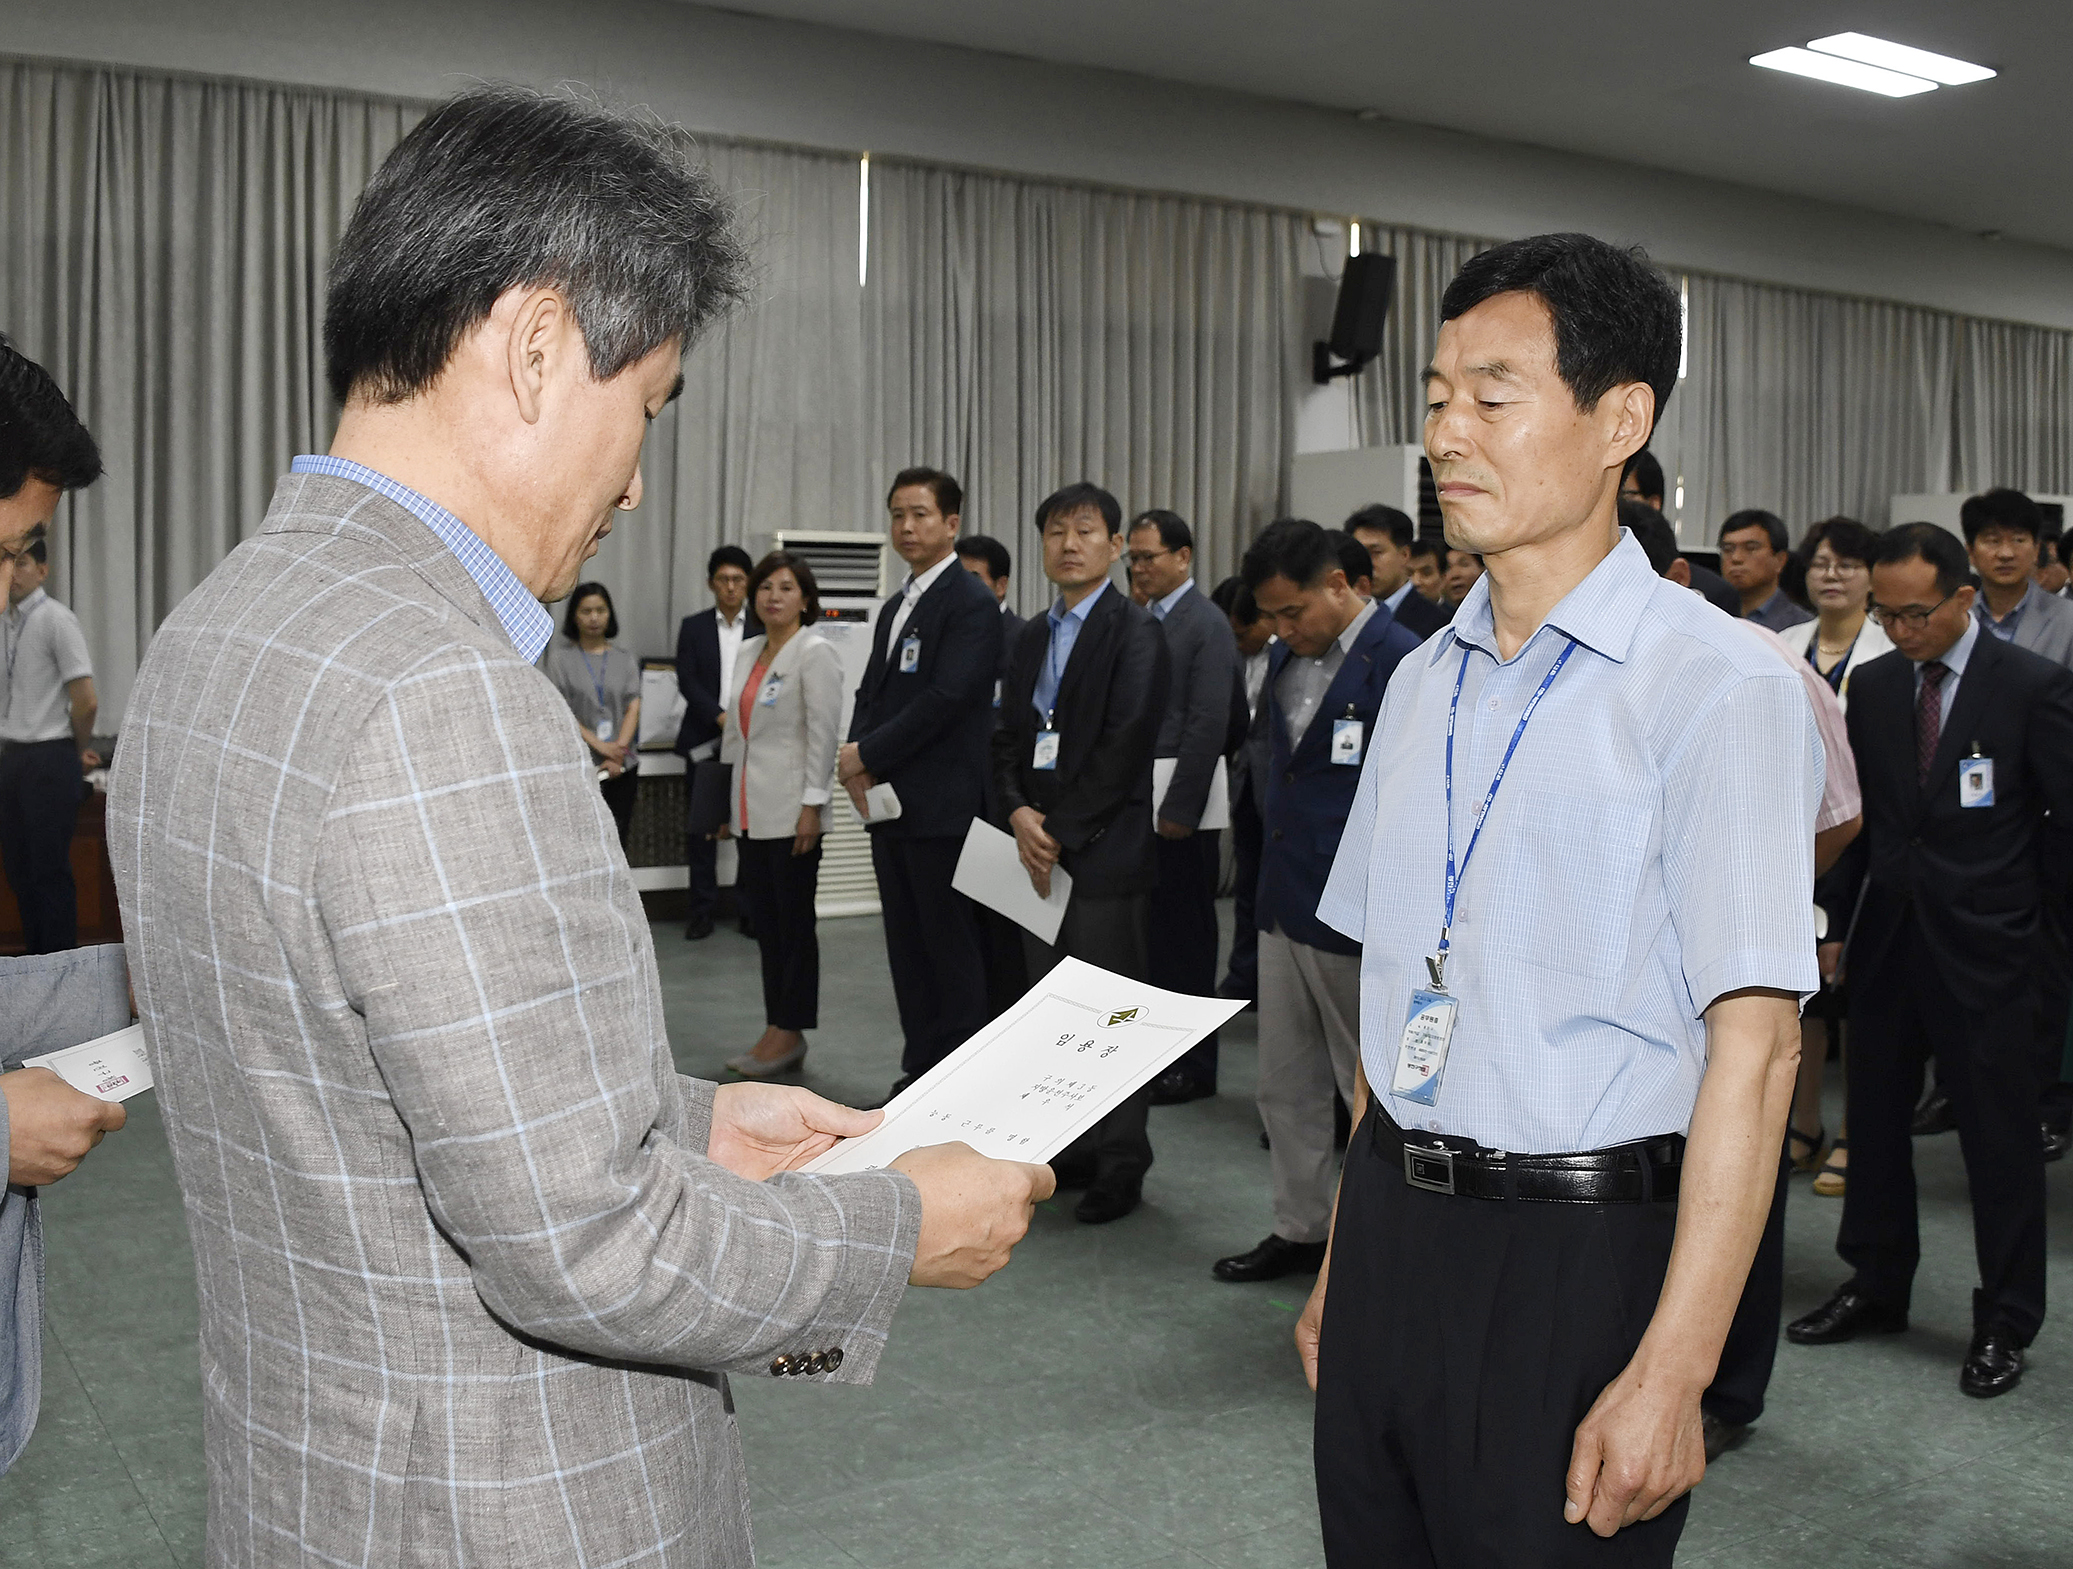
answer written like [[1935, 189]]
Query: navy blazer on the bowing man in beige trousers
[[1309, 797]]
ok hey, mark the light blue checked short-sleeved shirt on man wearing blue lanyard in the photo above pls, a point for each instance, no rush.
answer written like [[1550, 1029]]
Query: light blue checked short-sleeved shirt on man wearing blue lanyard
[[1651, 851]]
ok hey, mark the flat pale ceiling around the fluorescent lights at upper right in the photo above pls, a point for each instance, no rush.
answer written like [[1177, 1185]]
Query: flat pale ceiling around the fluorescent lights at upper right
[[1662, 84]]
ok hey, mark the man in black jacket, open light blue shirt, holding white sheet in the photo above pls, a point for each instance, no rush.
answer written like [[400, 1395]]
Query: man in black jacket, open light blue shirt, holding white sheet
[[1073, 762]]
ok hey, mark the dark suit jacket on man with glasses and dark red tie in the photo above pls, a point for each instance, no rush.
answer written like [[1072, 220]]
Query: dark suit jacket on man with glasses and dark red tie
[[1972, 878]]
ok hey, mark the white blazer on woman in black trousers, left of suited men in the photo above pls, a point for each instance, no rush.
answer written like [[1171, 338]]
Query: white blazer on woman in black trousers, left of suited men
[[789, 758]]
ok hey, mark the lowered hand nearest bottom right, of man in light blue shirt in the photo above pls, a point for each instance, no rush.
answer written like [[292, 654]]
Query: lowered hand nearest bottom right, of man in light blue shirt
[[1637, 1454]]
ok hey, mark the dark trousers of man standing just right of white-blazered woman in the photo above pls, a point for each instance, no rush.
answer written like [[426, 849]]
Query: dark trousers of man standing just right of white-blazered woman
[[932, 948]]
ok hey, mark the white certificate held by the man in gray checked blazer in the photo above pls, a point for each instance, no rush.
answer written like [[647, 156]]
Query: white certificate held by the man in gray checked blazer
[[1077, 1046]]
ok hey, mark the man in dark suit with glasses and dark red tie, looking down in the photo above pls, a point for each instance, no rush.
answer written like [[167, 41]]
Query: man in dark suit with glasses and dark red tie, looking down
[[1964, 745]]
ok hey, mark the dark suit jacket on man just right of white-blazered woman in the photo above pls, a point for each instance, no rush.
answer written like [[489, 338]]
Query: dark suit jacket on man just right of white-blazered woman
[[926, 731]]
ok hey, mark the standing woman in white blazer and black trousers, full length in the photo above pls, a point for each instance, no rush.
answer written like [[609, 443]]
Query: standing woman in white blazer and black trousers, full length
[[780, 733]]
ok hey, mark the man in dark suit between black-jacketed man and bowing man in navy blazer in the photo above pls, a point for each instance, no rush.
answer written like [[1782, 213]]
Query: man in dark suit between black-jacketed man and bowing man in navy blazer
[[1193, 731]]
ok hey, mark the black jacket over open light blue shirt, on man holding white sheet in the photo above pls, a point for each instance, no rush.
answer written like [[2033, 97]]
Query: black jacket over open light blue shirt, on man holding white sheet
[[1100, 799]]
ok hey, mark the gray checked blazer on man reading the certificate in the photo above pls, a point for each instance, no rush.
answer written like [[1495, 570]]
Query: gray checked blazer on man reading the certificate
[[470, 1286]]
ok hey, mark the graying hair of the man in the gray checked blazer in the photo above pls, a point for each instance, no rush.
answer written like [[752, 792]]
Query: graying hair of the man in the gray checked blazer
[[509, 188]]
